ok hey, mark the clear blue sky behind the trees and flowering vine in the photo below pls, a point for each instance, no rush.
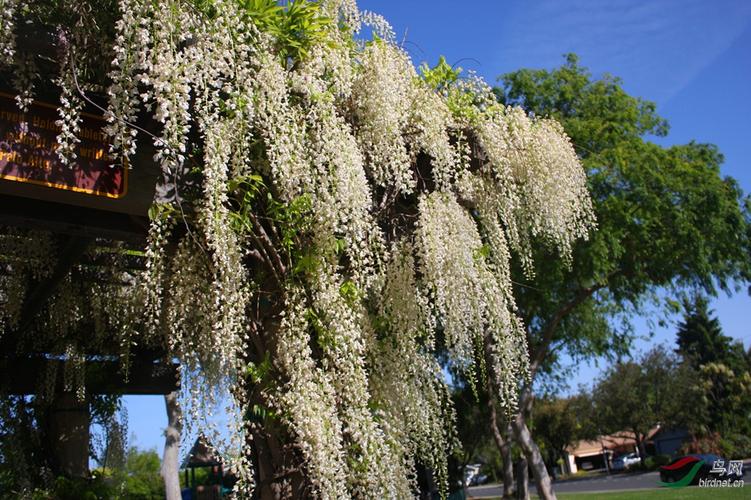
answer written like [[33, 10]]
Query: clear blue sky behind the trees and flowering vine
[[692, 57]]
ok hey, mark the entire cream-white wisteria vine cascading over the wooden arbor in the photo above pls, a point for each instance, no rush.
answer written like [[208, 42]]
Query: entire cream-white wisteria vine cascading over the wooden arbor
[[342, 221]]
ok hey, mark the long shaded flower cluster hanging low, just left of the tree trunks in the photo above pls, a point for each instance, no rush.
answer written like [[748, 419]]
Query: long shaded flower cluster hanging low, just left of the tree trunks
[[409, 392]]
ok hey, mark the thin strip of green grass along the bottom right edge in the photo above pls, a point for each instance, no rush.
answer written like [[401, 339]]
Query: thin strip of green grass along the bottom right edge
[[663, 493]]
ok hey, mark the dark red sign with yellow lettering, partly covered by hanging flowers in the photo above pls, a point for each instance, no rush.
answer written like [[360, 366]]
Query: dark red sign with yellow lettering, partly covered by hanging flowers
[[28, 152]]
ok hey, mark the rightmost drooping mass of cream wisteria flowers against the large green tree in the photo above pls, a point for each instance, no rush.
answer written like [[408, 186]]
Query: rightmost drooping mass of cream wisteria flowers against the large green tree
[[548, 199]]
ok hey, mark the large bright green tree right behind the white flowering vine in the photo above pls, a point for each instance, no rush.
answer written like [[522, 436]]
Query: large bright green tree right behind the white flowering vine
[[668, 220]]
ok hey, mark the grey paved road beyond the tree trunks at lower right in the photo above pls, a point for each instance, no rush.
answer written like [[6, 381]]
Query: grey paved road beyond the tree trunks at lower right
[[614, 482]]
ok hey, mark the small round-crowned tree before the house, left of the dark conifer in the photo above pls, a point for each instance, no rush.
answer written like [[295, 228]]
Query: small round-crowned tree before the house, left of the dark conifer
[[633, 397]]
